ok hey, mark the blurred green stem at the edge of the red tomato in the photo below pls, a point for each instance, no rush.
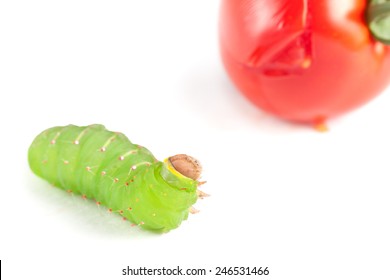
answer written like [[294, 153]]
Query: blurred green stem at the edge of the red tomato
[[378, 19]]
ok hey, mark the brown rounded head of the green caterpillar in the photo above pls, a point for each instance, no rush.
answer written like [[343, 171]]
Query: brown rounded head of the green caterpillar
[[186, 165]]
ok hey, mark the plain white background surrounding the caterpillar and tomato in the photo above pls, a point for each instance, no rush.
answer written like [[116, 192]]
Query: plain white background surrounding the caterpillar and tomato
[[308, 205]]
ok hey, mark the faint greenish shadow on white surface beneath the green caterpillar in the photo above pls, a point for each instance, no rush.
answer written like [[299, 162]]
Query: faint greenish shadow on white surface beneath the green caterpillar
[[61, 211]]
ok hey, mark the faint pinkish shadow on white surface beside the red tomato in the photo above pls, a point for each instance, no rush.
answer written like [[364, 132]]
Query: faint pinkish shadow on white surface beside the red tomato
[[210, 95]]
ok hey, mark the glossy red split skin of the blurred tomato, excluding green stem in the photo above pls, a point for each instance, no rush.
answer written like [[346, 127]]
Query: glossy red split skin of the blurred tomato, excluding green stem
[[302, 60]]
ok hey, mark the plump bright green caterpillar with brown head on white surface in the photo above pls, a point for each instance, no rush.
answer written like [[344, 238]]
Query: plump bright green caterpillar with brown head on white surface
[[126, 178]]
